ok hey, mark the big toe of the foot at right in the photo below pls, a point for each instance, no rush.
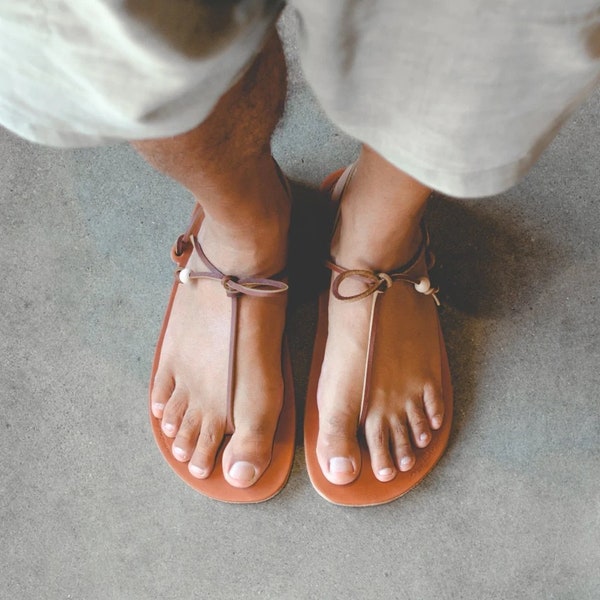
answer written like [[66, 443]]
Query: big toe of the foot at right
[[337, 448]]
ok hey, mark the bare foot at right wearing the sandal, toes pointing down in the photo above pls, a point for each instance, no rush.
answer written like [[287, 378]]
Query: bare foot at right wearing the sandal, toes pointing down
[[405, 402]]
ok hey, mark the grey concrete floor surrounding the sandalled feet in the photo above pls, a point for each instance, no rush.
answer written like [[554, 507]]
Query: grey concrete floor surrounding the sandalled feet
[[89, 509]]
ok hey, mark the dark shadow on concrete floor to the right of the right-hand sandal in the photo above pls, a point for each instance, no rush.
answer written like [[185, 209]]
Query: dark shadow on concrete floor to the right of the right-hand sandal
[[490, 266]]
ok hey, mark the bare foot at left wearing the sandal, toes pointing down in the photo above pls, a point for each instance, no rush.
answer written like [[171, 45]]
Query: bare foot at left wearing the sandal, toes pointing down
[[190, 387]]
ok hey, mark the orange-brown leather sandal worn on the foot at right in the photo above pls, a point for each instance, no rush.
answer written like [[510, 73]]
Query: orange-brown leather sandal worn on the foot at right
[[366, 489]]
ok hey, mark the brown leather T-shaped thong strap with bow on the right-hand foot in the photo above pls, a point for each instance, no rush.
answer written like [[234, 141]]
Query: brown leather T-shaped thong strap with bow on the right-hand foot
[[376, 284]]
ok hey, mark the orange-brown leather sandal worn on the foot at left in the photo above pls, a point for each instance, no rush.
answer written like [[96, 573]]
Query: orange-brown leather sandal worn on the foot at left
[[276, 475]]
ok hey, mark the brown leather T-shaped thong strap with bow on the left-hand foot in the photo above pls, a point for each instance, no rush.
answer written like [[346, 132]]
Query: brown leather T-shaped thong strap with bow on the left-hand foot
[[234, 287]]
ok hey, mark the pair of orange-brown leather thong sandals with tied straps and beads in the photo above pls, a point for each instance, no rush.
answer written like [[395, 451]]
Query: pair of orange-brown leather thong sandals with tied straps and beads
[[365, 490]]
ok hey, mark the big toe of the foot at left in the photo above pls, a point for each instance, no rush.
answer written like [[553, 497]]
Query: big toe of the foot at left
[[248, 454]]
